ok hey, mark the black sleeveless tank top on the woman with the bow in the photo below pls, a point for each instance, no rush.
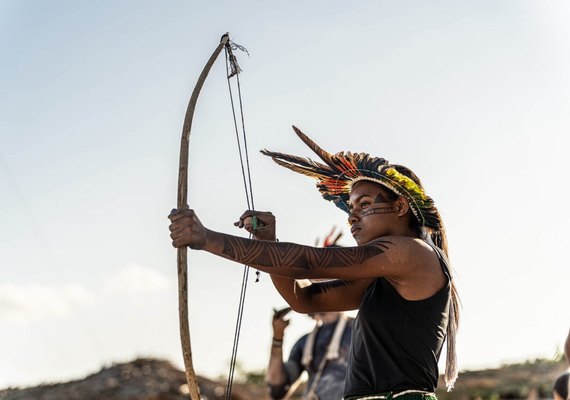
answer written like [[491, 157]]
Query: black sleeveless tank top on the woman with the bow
[[396, 342]]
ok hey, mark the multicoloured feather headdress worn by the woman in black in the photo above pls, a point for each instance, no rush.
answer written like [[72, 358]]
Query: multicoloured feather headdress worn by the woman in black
[[342, 170]]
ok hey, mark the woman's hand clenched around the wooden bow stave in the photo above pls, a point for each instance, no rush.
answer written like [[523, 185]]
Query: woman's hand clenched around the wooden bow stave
[[186, 229]]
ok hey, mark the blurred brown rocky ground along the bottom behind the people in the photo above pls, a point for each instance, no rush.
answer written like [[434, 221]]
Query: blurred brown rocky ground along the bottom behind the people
[[151, 379]]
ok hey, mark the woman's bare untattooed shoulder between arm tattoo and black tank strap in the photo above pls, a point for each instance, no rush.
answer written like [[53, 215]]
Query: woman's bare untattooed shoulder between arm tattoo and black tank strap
[[421, 274]]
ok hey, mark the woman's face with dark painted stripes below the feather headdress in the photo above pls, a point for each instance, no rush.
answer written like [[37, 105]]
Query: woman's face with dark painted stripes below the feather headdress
[[372, 214]]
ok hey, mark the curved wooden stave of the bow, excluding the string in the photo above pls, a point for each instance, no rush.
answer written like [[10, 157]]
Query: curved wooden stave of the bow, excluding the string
[[182, 203]]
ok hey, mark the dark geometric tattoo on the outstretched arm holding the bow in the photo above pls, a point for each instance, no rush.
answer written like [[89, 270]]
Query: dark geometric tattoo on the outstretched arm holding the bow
[[275, 255]]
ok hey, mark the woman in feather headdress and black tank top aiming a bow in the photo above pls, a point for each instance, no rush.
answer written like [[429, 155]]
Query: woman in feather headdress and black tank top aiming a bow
[[397, 276]]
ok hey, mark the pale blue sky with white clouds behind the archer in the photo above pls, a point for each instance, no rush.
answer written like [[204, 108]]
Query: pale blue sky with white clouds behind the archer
[[472, 95]]
